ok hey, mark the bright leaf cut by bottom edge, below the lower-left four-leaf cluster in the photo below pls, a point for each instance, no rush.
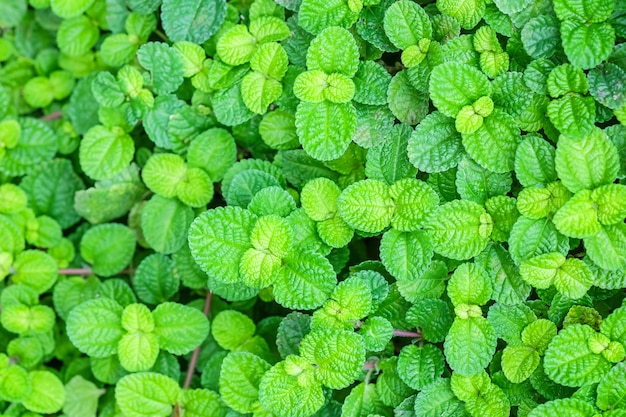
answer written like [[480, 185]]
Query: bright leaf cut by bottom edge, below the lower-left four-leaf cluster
[[146, 394]]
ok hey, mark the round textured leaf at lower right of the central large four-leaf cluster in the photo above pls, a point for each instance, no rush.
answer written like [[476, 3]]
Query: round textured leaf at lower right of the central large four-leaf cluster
[[305, 281]]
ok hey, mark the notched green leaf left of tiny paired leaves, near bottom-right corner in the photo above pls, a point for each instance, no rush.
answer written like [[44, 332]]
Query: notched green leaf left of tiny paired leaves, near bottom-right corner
[[569, 360]]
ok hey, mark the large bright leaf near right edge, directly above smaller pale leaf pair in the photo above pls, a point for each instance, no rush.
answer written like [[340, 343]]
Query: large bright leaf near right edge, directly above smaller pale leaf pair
[[574, 159]]
